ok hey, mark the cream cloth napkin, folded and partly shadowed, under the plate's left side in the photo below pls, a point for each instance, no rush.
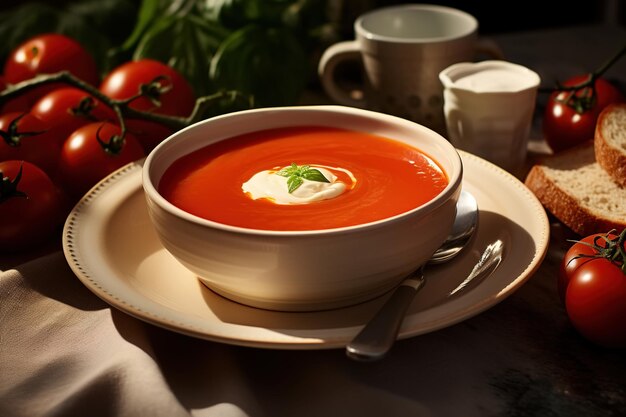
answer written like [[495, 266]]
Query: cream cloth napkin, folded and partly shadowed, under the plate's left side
[[64, 352]]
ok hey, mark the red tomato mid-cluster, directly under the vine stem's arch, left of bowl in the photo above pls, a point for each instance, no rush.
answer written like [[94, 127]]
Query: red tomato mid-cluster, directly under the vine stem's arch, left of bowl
[[68, 108]]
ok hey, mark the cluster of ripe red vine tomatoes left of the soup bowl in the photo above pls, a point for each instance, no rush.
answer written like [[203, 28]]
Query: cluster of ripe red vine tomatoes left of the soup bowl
[[57, 141]]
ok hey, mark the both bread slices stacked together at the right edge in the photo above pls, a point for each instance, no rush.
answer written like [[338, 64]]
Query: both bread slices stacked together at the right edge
[[585, 186]]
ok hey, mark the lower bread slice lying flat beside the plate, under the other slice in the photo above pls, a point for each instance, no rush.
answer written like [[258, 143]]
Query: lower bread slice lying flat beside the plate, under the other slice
[[576, 190]]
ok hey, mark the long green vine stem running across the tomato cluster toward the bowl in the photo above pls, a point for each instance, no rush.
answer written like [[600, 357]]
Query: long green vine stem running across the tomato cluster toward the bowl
[[122, 107]]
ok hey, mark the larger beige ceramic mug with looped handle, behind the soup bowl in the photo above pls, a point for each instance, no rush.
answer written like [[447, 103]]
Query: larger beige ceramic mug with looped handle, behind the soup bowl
[[403, 49]]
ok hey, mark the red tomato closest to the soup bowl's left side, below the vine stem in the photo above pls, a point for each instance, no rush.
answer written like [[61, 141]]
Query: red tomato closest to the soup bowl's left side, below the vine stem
[[85, 161]]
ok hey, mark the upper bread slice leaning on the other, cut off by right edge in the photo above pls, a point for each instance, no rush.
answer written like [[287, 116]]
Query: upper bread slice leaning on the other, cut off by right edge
[[610, 141]]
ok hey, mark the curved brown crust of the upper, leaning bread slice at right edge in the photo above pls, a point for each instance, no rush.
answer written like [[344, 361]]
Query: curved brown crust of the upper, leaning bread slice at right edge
[[612, 160]]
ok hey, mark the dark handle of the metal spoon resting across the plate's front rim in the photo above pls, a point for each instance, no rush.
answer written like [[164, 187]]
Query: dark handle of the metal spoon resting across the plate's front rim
[[379, 334]]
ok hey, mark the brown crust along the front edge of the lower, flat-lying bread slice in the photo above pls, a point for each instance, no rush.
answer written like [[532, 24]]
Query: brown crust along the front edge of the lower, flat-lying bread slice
[[565, 207]]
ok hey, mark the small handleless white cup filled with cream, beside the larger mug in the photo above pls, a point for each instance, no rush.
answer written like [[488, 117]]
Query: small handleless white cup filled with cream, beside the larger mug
[[489, 108]]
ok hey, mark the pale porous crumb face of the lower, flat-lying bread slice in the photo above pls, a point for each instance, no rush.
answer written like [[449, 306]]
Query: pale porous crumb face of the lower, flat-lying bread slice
[[577, 174]]
